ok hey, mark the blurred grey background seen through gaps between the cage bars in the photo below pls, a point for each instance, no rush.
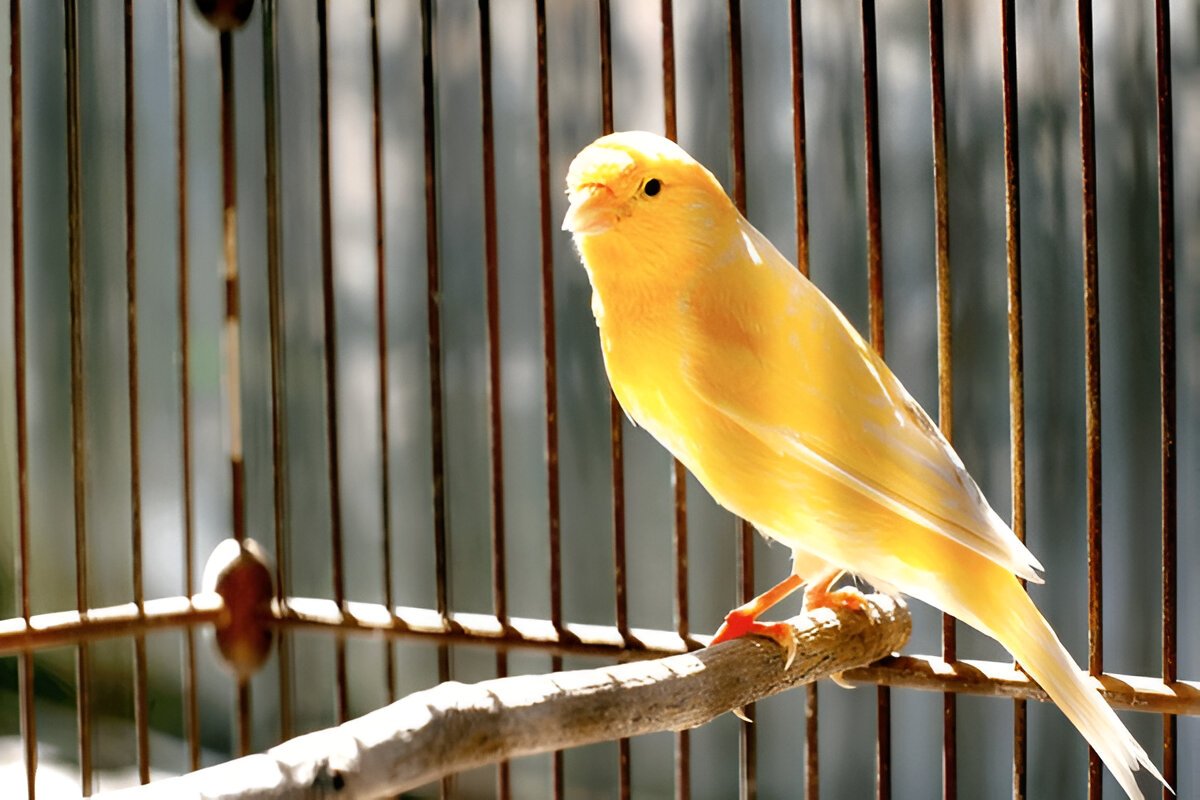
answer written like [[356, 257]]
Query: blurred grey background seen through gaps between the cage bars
[[1054, 340]]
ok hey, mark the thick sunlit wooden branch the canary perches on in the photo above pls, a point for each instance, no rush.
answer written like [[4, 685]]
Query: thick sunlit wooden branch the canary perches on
[[455, 727]]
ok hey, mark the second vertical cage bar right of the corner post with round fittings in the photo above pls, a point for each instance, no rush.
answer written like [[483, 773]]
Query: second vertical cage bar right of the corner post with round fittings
[[329, 316]]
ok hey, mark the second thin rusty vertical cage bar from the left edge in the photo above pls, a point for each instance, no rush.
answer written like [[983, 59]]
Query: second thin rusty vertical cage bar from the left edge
[[79, 452]]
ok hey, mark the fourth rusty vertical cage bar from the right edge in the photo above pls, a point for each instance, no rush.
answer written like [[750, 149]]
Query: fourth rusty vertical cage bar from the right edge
[[945, 362]]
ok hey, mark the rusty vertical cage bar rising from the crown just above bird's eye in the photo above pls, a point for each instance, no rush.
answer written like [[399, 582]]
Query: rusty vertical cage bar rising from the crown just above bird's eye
[[679, 473]]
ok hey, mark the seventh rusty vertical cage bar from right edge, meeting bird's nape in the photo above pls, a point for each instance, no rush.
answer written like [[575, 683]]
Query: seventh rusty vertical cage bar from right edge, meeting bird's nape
[[748, 736]]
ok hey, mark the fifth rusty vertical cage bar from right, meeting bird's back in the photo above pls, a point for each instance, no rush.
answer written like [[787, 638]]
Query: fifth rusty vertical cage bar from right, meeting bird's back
[[875, 310]]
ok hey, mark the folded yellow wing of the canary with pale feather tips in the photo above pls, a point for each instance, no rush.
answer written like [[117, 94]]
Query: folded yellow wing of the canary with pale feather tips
[[769, 351]]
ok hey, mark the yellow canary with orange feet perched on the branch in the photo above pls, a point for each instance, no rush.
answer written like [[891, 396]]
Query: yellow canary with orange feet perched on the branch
[[742, 369]]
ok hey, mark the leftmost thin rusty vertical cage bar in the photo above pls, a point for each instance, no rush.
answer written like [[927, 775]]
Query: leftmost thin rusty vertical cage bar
[[26, 666]]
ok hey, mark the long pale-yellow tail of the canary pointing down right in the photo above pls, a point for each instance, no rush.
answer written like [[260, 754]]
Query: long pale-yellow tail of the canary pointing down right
[[1018, 624]]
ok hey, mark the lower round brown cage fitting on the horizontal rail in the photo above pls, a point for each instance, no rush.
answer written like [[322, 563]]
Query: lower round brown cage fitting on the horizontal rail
[[241, 574]]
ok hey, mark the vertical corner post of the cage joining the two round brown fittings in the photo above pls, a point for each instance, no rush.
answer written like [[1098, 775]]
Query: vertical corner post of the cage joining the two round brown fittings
[[233, 334]]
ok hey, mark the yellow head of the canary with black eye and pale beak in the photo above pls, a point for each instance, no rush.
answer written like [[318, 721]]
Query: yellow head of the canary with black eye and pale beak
[[638, 185]]
